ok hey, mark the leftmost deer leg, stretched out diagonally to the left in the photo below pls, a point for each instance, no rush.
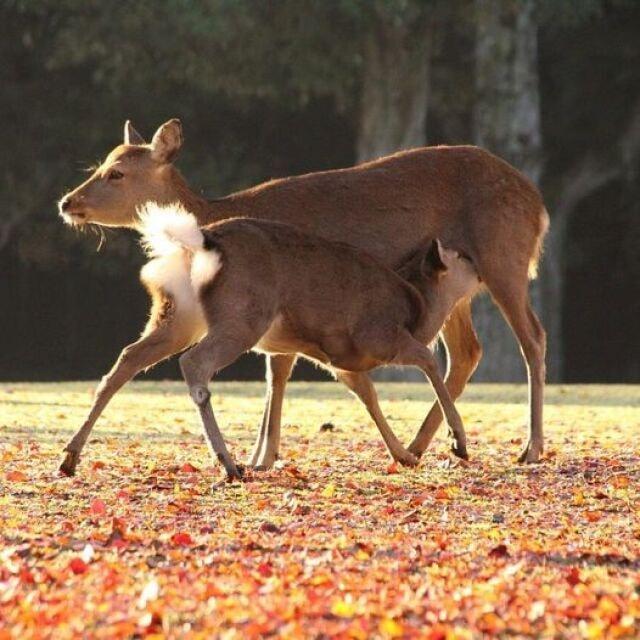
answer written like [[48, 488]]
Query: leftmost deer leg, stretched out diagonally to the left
[[162, 341]]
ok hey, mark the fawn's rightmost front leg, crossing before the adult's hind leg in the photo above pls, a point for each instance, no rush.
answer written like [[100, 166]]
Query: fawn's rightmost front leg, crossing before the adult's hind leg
[[411, 352]]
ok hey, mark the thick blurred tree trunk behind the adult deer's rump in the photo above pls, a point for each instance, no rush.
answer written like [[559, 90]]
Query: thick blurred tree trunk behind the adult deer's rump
[[507, 122]]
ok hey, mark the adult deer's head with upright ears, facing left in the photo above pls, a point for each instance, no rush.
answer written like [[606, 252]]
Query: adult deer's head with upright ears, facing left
[[132, 174]]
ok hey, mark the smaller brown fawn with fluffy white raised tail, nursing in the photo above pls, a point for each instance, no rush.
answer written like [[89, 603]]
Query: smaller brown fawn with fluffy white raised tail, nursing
[[271, 287]]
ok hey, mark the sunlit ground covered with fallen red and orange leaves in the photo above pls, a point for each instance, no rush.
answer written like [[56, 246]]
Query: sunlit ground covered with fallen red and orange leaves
[[334, 543]]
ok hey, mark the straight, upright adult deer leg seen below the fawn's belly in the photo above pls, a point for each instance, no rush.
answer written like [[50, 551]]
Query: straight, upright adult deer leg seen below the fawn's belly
[[267, 446]]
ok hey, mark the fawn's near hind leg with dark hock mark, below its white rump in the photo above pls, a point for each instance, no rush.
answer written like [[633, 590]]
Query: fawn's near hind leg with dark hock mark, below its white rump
[[198, 366]]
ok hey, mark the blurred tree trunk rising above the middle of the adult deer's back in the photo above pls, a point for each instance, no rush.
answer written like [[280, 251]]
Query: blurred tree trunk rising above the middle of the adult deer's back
[[395, 91]]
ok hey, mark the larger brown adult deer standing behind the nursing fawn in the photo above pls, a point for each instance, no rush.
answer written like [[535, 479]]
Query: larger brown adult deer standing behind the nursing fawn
[[470, 199]]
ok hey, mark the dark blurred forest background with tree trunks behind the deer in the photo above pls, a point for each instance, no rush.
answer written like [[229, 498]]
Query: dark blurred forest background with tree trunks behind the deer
[[269, 88]]
